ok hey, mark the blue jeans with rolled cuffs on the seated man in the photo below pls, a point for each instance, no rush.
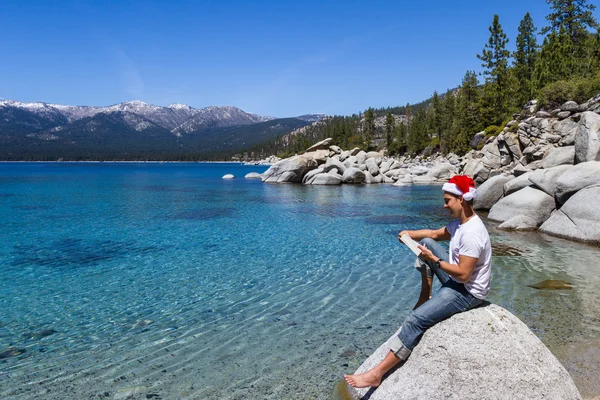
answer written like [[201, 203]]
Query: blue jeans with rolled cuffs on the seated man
[[452, 298]]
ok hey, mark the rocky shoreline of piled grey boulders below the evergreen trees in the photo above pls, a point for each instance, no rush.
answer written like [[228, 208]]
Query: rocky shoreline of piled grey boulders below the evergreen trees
[[540, 172]]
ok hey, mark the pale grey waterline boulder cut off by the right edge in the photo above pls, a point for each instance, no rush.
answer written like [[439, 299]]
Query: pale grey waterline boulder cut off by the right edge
[[578, 218]]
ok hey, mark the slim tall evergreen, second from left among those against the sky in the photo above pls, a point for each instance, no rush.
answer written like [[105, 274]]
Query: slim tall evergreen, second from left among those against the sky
[[524, 60]]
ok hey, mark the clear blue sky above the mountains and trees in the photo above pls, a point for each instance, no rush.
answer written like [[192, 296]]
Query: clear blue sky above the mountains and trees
[[278, 58]]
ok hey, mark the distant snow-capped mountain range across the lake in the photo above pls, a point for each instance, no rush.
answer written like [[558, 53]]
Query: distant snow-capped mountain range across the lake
[[134, 130]]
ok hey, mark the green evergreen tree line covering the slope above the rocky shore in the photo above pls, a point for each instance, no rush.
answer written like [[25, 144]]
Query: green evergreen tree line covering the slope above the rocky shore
[[564, 66]]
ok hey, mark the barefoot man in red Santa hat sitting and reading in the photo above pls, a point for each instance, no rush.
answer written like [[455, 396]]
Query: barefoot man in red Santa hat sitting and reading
[[464, 273]]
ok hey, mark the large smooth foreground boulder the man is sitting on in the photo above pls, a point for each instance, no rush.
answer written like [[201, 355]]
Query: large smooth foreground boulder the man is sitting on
[[484, 353]]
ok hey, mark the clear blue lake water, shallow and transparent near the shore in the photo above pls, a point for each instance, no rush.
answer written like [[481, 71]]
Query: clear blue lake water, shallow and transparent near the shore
[[165, 279]]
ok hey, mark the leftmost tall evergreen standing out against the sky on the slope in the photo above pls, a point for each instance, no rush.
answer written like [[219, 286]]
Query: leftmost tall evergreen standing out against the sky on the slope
[[494, 59]]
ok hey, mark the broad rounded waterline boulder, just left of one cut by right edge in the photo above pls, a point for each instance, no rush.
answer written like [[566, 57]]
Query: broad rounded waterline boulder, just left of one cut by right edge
[[528, 201]]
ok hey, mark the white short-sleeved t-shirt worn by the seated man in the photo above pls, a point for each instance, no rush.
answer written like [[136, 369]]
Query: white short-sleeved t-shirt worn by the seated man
[[473, 240]]
